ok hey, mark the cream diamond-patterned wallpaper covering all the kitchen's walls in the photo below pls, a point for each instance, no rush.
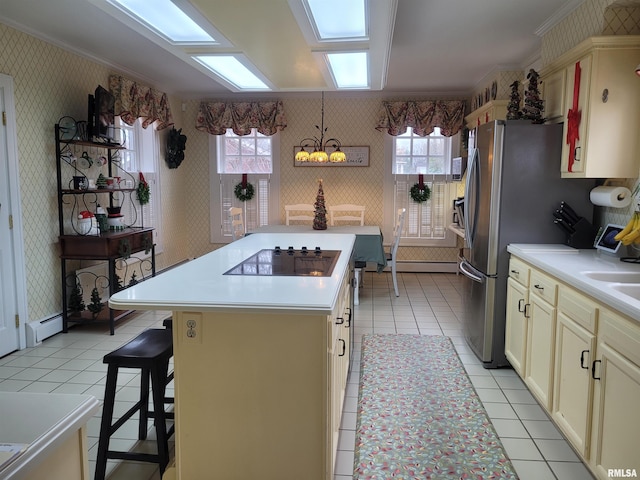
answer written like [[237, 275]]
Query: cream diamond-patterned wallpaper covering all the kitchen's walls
[[51, 82]]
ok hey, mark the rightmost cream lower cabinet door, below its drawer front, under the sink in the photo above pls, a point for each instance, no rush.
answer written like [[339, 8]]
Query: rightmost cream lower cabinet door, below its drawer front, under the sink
[[616, 417]]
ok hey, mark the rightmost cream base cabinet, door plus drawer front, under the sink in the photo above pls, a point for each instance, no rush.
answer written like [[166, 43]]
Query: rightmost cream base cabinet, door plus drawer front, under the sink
[[616, 375]]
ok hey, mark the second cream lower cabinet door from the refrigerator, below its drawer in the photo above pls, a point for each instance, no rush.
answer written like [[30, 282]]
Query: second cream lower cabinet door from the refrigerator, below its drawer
[[540, 349]]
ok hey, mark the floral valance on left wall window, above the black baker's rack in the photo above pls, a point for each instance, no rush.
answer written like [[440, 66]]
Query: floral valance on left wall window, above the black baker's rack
[[133, 101]]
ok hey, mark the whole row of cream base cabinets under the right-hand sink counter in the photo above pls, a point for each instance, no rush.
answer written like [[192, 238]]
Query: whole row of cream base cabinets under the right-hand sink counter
[[587, 377]]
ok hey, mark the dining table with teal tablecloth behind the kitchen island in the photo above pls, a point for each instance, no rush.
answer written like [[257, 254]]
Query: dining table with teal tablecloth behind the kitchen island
[[368, 247]]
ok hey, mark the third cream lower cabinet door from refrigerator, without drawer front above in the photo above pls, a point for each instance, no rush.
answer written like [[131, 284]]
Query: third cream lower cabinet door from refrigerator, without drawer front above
[[573, 387]]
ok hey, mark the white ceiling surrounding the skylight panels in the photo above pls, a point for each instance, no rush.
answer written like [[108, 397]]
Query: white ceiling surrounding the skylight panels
[[431, 46]]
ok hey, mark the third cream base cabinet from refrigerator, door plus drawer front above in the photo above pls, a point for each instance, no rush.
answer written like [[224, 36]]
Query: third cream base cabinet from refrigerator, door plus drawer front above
[[574, 354]]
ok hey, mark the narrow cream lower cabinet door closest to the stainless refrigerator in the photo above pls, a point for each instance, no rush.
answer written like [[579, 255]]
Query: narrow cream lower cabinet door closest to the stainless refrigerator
[[516, 328]]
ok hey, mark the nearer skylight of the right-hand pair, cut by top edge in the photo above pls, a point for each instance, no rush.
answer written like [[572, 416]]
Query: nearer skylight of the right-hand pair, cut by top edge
[[338, 19]]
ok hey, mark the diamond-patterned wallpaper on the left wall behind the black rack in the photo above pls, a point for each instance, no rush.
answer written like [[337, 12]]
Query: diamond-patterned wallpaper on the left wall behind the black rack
[[49, 83]]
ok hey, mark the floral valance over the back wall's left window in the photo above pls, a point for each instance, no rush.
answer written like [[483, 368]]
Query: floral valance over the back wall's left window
[[216, 117]]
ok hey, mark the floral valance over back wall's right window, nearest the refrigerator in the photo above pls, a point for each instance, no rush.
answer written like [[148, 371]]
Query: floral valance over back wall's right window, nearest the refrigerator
[[423, 117]]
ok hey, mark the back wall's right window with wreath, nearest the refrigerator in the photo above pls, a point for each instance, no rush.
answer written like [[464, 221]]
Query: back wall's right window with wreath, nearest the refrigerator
[[410, 156]]
